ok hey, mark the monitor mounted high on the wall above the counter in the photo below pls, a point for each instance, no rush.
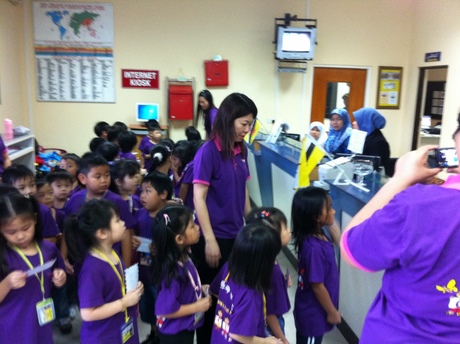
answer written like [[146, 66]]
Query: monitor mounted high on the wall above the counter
[[295, 43]]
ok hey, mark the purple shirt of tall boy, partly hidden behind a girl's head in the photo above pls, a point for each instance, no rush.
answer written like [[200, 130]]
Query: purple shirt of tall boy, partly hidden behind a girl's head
[[78, 199]]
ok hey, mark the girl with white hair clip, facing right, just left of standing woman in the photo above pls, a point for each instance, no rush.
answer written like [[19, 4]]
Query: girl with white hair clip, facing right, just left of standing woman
[[182, 300]]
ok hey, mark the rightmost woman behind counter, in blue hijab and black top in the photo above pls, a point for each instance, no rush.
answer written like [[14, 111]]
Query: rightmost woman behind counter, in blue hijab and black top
[[371, 121]]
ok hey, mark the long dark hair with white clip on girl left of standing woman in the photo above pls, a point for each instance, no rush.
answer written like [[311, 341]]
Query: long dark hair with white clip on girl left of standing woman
[[170, 222]]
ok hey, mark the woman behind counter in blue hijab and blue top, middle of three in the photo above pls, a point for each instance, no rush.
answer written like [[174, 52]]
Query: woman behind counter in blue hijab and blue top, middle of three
[[339, 132]]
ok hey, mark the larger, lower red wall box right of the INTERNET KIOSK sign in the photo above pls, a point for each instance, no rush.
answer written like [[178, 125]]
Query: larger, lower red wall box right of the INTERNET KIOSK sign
[[180, 102]]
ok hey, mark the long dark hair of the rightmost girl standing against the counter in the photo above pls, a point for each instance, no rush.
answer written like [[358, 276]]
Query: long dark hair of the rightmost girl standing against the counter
[[307, 207]]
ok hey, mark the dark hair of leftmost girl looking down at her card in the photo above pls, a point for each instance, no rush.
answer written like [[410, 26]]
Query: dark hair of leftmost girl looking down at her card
[[12, 205]]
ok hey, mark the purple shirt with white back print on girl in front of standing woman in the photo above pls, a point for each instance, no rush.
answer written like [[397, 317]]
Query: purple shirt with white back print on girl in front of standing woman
[[240, 310]]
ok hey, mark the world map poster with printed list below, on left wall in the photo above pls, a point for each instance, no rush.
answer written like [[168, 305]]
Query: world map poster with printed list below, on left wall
[[73, 45]]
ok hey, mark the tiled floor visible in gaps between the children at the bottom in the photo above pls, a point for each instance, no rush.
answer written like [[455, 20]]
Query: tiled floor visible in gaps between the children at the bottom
[[333, 337]]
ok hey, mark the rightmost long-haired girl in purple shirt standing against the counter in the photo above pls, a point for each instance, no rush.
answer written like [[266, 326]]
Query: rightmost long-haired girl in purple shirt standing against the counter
[[314, 232]]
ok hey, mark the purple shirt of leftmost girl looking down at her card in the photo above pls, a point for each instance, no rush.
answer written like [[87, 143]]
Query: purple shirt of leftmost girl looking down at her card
[[18, 310]]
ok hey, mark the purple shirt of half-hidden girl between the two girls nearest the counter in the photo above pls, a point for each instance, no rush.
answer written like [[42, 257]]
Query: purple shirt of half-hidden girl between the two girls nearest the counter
[[277, 296]]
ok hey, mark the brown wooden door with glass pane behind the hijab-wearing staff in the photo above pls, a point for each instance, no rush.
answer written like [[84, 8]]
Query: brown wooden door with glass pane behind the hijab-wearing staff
[[356, 78]]
